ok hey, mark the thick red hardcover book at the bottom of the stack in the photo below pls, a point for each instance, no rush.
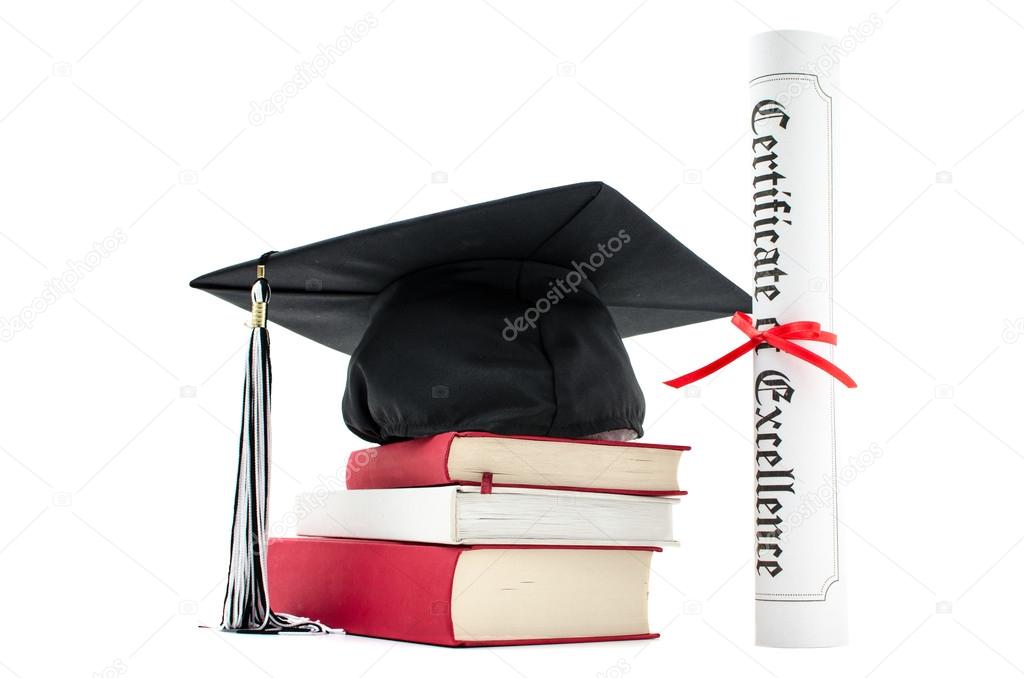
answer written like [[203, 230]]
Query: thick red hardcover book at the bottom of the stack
[[464, 596]]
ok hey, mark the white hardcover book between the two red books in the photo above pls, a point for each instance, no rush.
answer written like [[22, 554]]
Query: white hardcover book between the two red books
[[454, 515]]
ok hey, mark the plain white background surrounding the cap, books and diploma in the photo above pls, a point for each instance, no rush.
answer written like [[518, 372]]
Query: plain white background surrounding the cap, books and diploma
[[121, 401]]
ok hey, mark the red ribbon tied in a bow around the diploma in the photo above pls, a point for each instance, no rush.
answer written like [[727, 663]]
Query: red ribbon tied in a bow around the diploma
[[781, 337]]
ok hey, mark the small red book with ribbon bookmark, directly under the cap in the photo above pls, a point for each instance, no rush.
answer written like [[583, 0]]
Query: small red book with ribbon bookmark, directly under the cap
[[519, 461]]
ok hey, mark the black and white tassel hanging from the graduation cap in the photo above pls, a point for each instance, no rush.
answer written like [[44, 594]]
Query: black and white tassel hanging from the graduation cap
[[247, 605]]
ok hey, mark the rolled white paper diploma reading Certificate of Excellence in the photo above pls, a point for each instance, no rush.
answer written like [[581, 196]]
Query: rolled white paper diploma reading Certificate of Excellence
[[800, 596]]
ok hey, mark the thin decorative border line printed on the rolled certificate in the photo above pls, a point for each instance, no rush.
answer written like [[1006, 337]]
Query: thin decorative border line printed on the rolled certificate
[[823, 595]]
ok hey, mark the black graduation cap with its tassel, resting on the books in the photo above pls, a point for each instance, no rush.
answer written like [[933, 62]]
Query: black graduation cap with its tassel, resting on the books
[[506, 317]]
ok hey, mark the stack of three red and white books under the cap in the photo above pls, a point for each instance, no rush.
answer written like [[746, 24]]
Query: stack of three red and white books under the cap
[[476, 539]]
